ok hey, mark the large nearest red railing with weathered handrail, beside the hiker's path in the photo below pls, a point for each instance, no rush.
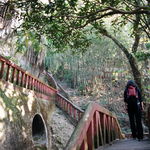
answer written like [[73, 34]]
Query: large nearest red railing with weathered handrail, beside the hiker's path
[[97, 127]]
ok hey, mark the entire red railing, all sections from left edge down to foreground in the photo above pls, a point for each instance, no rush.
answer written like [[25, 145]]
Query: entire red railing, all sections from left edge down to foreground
[[97, 126]]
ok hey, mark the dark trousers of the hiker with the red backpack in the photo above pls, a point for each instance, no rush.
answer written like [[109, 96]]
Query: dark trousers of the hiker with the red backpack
[[134, 113]]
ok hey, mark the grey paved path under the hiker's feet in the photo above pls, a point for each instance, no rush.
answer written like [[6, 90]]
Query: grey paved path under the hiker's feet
[[128, 144]]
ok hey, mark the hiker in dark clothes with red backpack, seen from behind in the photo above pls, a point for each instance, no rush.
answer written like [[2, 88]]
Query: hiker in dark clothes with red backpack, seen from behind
[[134, 107]]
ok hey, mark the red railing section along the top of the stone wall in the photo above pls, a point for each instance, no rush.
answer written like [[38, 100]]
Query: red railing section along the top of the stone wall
[[16, 75]]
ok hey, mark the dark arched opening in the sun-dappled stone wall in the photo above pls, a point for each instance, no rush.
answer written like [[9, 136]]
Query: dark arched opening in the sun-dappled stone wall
[[39, 132]]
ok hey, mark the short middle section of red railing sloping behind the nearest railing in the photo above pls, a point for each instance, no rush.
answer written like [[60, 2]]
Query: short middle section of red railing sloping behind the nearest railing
[[72, 110]]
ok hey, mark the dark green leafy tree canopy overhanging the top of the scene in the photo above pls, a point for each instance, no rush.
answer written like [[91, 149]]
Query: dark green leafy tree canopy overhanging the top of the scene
[[64, 21]]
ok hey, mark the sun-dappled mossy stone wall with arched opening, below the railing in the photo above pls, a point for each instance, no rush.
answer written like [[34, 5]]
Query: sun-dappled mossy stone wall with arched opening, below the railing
[[18, 108]]
